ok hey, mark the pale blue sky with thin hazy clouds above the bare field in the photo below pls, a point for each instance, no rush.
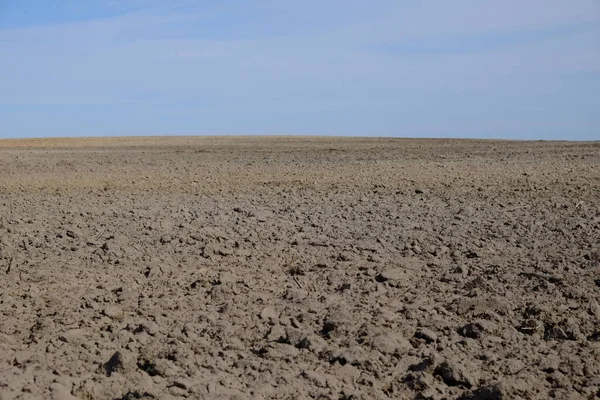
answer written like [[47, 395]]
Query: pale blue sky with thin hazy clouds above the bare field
[[462, 68]]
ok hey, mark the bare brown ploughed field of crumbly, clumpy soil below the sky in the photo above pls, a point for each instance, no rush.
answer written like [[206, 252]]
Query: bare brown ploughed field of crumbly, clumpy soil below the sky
[[297, 268]]
